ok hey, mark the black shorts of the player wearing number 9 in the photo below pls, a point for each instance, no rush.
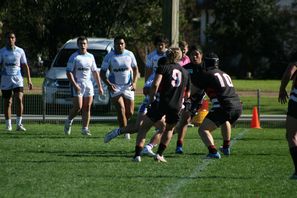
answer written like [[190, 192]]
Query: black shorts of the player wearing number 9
[[157, 111]]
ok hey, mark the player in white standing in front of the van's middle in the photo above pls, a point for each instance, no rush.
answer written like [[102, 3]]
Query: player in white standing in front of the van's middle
[[81, 65]]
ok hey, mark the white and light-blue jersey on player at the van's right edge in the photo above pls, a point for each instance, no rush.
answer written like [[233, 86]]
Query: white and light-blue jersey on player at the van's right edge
[[120, 67]]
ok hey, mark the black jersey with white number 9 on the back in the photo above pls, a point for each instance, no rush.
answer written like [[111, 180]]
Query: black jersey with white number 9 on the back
[[174, 83]]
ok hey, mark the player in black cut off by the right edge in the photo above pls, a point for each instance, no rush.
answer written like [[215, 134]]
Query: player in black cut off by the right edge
[[291, 126]]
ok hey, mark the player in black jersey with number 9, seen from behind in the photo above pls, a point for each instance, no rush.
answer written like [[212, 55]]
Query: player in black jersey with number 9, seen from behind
[[171, 84]]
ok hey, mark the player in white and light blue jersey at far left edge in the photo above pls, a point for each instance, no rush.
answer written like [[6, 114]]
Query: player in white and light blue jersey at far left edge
[[12, 58]]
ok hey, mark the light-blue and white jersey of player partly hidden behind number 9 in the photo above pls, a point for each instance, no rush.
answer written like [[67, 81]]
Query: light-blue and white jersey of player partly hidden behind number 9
[[152, 62]]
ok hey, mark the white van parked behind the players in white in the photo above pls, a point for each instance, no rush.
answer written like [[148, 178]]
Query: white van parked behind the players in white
[[56, 86]]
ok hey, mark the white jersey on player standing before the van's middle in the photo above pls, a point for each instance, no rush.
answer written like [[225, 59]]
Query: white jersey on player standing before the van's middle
[[82, 66]]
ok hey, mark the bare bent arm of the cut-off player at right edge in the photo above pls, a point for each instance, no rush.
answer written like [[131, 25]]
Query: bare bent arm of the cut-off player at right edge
[[288, 74]]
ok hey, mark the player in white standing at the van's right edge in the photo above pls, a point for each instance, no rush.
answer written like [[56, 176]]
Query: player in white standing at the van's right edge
[[121, 82]]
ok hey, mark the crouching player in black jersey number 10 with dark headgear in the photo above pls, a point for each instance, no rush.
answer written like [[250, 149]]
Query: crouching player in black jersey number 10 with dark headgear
[[226, 106]]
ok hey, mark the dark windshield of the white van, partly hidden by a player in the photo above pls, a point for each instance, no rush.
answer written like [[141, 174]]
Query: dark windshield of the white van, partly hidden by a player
[[63, 56]]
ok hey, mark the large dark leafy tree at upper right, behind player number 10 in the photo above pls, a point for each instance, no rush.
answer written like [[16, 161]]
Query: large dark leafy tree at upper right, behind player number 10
[[254, 32]]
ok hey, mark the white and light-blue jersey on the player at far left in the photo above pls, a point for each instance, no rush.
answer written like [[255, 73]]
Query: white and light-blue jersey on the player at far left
[[11, 61]]
